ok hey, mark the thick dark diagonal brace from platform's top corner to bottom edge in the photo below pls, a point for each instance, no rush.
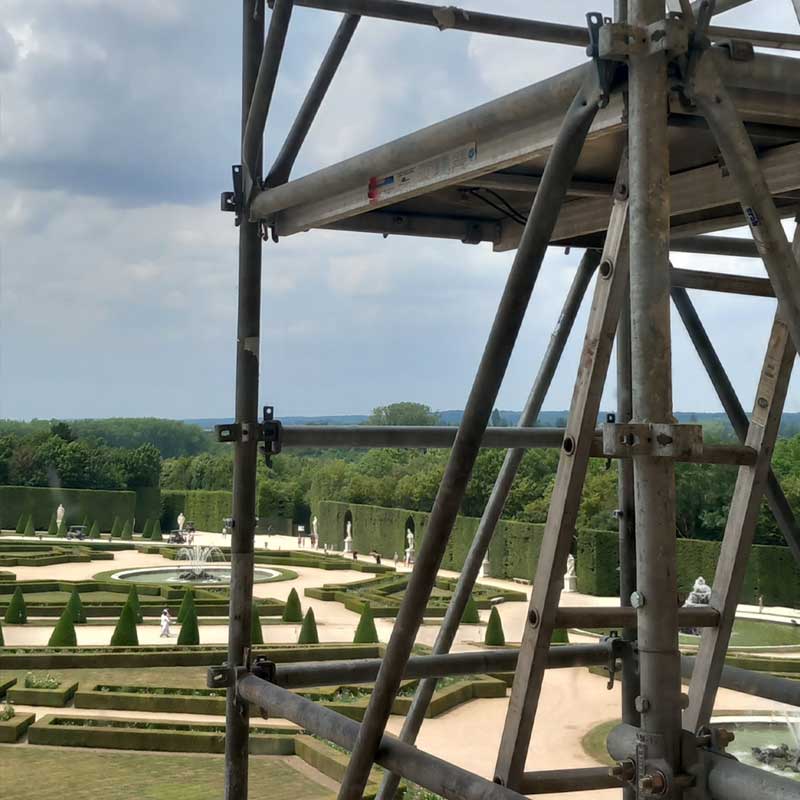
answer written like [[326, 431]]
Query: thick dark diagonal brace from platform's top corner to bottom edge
[[505, 329]]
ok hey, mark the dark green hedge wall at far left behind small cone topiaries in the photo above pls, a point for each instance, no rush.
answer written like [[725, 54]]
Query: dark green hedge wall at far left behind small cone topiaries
[[96, 504]]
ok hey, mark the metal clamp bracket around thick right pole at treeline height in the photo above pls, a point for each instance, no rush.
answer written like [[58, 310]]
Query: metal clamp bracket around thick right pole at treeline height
[[660, 440]]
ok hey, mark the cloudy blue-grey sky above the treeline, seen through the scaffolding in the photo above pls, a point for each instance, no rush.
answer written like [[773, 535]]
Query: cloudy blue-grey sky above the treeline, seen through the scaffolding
[[119, 122]]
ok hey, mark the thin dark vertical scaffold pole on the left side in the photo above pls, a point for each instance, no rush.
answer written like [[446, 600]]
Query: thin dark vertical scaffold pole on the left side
[[237, 720]]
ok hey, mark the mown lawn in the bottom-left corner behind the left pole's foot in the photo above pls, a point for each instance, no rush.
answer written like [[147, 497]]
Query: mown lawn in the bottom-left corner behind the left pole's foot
[[141, 776]]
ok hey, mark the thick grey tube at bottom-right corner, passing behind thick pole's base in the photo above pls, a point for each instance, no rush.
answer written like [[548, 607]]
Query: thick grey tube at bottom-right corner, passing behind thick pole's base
[[727, 778]]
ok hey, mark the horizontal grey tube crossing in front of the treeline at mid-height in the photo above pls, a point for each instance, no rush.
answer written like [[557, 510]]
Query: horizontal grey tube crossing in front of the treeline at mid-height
[[424, 436]]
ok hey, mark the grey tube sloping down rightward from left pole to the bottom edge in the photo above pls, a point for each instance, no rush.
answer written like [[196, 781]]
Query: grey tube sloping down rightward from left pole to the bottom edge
[[422, 768]]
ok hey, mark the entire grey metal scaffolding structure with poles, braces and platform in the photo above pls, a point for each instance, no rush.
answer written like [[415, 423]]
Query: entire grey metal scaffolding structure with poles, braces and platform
[[674, 129]]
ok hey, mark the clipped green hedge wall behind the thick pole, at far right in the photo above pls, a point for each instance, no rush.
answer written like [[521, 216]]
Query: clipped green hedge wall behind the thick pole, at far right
[[771, 571]]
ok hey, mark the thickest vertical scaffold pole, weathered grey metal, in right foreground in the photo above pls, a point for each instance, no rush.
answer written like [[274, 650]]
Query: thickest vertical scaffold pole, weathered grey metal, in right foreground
[[651, 369]]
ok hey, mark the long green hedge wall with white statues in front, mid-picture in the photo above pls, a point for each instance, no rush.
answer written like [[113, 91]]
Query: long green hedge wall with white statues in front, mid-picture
[[513, 552]]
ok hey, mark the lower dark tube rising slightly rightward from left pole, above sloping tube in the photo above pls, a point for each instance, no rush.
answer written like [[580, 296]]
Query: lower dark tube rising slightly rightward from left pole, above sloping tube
[[365, 670]]
